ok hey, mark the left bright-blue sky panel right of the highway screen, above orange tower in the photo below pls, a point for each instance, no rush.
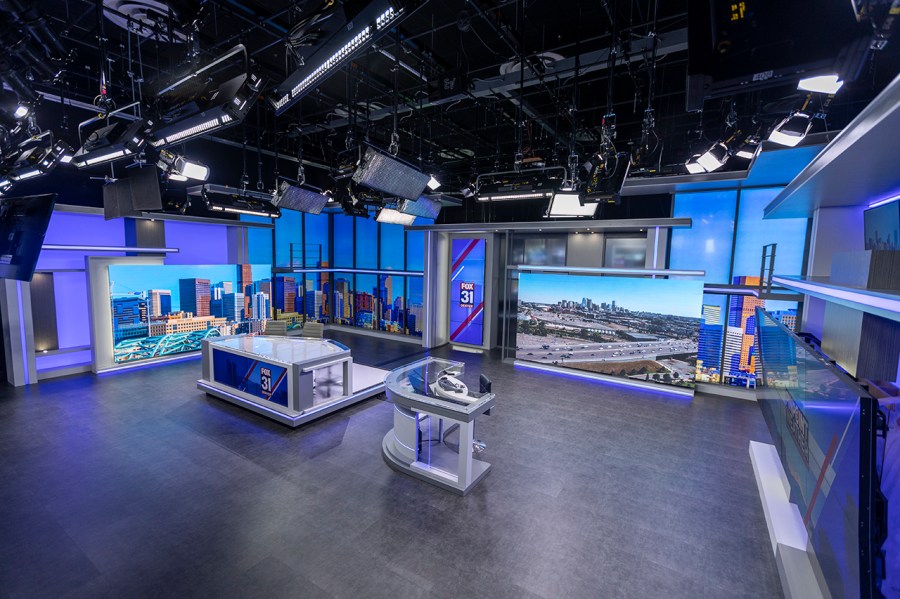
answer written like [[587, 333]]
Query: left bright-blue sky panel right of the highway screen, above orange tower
[[707, 244]]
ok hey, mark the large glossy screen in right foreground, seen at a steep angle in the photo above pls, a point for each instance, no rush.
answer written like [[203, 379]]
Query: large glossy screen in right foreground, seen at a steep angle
[[821, 424]]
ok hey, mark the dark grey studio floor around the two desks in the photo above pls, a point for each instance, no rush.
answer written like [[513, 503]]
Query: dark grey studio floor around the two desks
[[138, 485]]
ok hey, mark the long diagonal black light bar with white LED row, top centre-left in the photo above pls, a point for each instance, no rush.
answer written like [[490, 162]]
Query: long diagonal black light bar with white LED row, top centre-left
[[360, 32]]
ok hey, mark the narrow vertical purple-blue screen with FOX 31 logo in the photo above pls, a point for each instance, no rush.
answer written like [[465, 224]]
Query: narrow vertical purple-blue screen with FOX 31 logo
[[467, 291]]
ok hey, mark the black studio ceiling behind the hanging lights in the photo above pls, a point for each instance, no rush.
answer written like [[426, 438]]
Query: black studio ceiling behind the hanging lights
[[474, 40]]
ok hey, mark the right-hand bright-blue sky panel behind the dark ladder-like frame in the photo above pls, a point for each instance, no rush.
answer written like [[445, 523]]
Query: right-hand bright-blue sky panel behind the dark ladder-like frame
[[753, 233]]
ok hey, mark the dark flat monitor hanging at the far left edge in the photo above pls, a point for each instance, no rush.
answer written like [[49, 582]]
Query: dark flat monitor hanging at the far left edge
[[23, 224]]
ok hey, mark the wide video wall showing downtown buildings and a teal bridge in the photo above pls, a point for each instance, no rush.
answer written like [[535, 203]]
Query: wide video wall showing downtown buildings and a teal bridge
[[162, 310]]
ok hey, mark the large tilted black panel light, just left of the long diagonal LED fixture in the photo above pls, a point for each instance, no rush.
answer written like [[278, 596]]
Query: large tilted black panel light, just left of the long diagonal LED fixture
[[188, 108]]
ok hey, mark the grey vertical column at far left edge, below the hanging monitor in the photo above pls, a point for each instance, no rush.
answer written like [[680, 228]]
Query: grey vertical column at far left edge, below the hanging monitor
[[18, 333]]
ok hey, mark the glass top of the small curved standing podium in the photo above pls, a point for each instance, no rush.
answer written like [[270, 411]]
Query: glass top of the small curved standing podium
[[434, 382]]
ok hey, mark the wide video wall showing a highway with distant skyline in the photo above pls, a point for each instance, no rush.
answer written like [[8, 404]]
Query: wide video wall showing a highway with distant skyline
[[637, 328]]
